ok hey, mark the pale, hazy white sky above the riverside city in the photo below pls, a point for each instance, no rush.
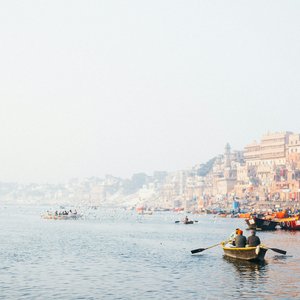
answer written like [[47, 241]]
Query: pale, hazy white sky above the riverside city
[[89, 88]]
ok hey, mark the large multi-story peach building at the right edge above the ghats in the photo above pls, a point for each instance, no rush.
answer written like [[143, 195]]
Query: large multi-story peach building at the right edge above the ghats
[[274, 163]]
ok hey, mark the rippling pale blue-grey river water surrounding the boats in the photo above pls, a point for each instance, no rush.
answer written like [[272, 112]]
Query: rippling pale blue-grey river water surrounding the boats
[[114, 254]]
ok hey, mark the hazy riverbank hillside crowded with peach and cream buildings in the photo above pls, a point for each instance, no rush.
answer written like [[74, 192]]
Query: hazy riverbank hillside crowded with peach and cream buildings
[[263, 174]]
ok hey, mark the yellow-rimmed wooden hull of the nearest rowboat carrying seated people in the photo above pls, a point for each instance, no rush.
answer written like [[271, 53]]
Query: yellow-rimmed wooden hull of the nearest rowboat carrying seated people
[[247, 253]]
